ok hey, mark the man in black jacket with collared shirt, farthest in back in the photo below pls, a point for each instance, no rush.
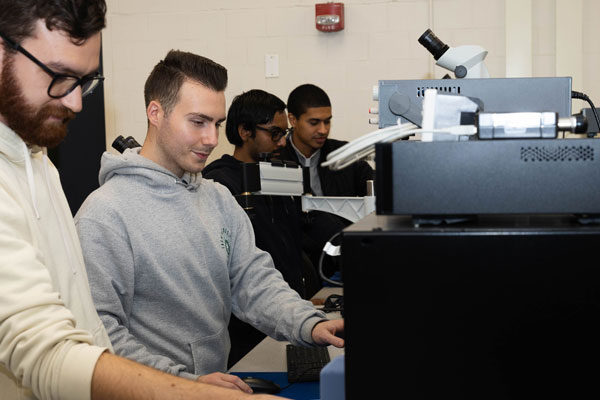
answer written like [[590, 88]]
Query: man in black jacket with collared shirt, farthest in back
[[309, 112]]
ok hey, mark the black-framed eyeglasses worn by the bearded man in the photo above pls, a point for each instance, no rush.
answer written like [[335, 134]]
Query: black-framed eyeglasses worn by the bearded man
[[61, 84]]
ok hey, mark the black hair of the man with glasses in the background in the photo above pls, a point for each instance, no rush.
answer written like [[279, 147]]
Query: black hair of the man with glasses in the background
[[250, 109]]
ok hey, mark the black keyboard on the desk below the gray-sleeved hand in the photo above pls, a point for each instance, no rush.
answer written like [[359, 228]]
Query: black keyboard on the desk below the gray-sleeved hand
[[305, 363]]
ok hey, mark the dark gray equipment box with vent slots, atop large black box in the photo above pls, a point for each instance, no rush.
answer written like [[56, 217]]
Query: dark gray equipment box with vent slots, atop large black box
[[445, 179]]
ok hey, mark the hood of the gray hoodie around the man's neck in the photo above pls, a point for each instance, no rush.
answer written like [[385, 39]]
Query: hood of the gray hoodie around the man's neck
[[132, 164]]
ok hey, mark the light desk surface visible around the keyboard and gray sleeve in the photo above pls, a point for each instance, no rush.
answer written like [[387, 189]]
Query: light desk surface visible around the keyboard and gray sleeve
[[269, 355]]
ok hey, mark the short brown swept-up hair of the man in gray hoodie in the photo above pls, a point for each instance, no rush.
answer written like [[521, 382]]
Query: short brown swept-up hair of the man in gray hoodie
[[169, 74]]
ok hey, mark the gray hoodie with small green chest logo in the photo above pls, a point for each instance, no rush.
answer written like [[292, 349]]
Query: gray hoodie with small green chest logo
[[169, 259]]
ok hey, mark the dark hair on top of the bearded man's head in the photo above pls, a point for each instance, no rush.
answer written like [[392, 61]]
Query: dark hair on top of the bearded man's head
[[80, 19]]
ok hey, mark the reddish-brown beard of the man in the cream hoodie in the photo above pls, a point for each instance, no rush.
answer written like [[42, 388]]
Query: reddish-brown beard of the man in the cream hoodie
[[45, 126]]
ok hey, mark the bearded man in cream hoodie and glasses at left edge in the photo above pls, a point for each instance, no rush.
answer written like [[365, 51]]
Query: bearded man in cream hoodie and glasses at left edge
[[52, 343]]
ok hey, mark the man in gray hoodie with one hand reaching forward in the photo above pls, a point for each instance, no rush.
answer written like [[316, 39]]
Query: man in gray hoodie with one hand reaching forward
[[171, 255]]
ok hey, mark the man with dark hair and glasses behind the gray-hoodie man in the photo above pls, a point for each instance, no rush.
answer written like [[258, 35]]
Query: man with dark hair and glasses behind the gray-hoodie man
[[257, 123]]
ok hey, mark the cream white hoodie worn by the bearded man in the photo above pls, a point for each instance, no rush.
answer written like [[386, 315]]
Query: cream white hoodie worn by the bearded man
[[50, 334]]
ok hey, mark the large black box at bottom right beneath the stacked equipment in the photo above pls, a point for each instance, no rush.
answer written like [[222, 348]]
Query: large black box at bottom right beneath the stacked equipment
[[494, 308]]
